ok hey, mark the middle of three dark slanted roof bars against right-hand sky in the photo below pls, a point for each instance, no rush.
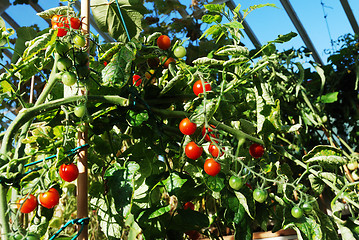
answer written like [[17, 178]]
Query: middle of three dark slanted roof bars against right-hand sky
[[301, 30]]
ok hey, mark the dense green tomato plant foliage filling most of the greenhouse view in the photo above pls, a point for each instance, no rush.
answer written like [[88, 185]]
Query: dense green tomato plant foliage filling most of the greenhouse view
[[139, 176]]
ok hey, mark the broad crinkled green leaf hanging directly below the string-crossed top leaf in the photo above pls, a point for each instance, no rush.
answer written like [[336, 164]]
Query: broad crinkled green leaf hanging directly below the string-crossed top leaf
[[118, 71]]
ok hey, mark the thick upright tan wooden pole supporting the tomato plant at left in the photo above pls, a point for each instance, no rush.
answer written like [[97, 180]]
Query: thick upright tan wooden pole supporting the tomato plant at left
[[82, 181]]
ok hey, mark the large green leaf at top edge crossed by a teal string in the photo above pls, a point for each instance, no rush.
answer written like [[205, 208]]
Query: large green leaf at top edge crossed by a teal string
[[108, 17]]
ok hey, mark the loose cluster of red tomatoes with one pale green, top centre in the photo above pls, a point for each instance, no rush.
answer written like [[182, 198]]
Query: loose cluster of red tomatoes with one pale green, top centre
[[164, 43]]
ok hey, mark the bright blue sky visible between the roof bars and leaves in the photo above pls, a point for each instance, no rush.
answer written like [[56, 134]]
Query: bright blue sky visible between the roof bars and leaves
[[267, 23]]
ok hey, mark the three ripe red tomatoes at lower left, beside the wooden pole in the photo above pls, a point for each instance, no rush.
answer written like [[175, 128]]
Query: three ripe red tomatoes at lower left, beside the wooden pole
[[50, 198]]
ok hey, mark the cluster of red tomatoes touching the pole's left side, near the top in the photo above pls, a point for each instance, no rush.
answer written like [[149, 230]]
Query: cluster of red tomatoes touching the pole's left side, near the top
[[63, 24]]
